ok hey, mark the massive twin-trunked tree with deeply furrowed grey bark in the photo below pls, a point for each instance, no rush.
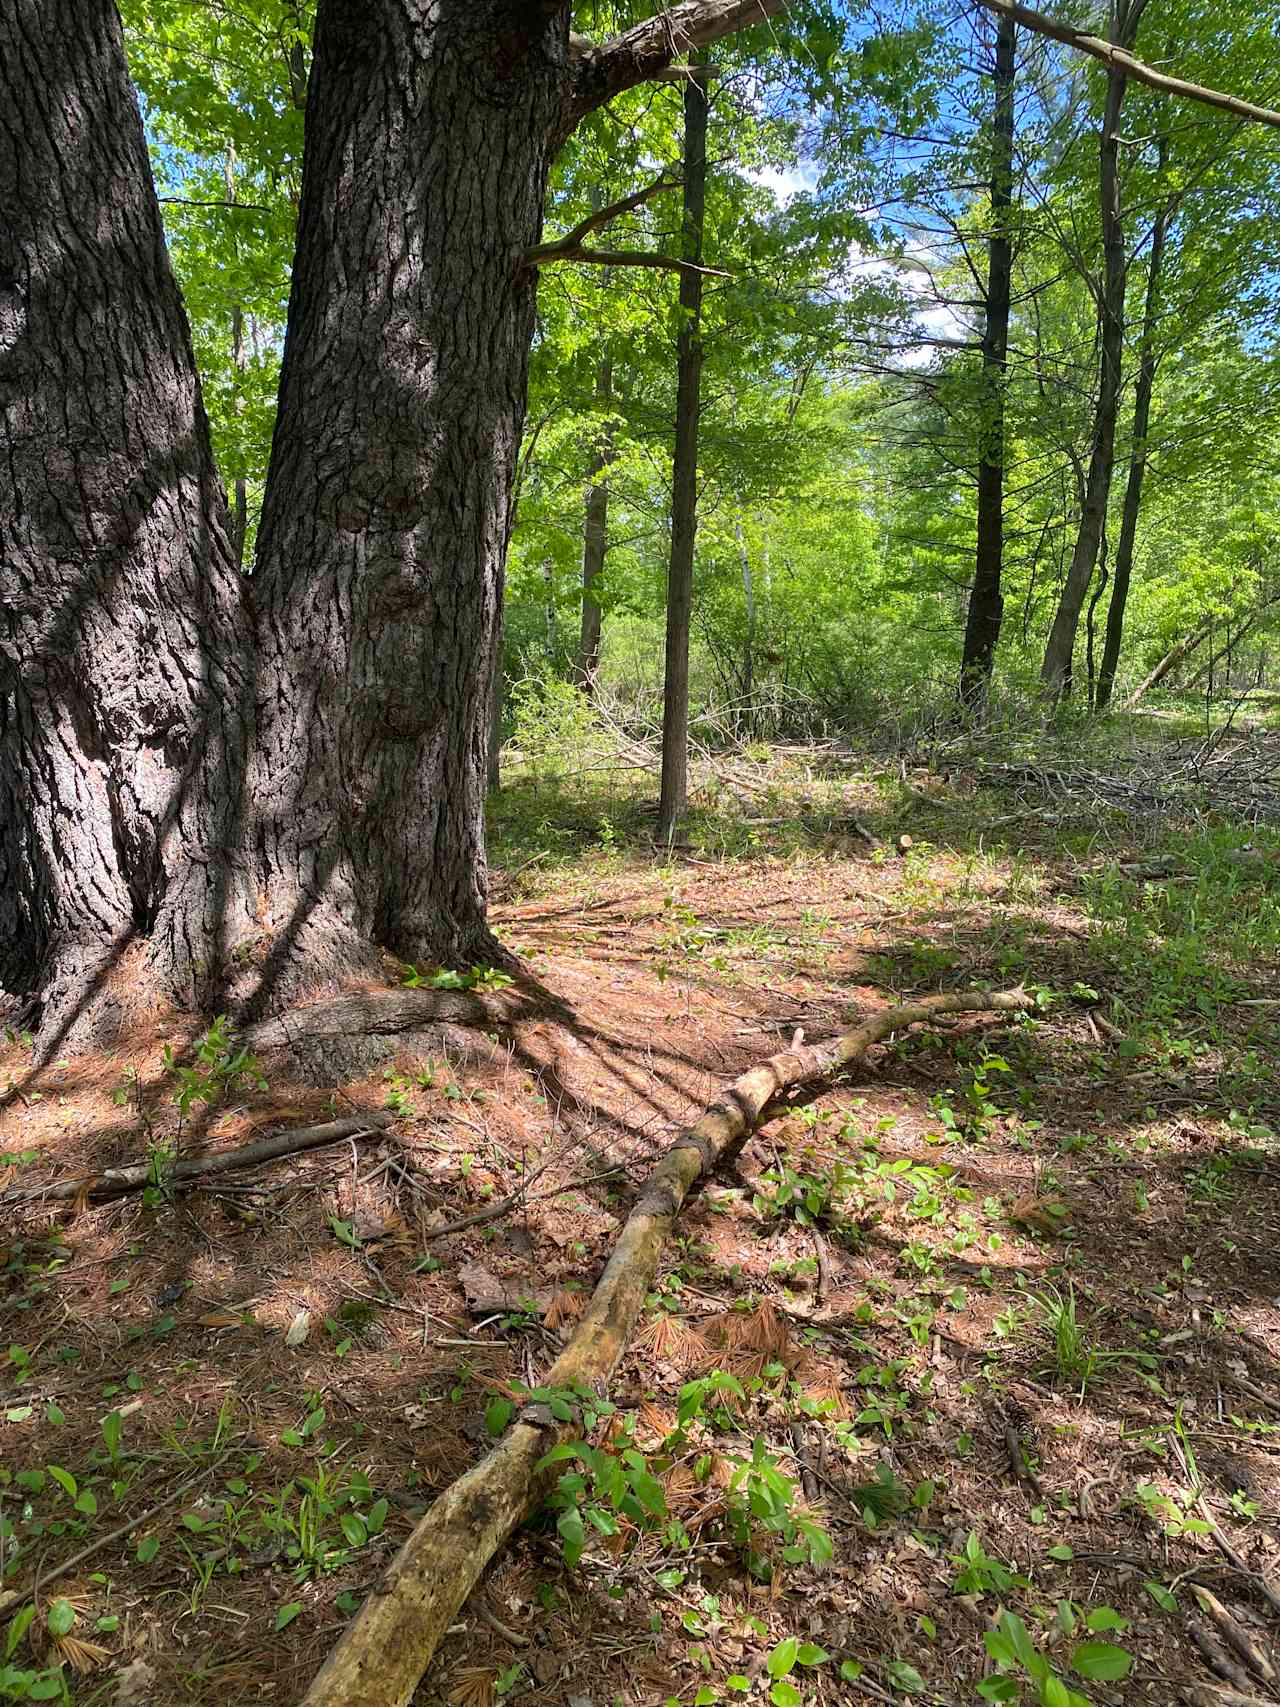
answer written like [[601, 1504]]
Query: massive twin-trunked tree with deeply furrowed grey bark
[[131, 672]]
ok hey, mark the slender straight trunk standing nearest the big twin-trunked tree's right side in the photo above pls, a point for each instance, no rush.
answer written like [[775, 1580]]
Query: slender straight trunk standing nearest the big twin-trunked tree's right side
[[685, 475]]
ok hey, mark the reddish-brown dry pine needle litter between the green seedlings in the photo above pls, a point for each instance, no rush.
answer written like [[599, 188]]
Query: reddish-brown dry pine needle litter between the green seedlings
[[643, 1054]]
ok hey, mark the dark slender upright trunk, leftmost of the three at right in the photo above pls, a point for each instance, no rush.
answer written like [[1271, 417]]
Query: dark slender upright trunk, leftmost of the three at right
[[987, 607]]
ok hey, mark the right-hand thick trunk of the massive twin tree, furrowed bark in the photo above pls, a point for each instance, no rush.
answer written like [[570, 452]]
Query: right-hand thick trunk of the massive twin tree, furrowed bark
[[431, 131]]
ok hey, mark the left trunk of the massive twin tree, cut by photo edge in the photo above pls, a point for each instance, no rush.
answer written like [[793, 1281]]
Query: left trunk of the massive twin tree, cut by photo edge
[[124, 643]]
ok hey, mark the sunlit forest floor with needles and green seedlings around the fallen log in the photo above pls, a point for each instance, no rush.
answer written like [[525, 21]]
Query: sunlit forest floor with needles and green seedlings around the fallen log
[[1004, 1315]]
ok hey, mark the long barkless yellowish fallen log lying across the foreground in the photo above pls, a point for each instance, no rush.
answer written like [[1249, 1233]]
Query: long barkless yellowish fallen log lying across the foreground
[[390, 1643]]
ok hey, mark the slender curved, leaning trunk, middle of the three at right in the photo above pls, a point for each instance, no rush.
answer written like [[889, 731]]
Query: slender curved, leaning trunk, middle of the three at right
[[1057, 670]]
